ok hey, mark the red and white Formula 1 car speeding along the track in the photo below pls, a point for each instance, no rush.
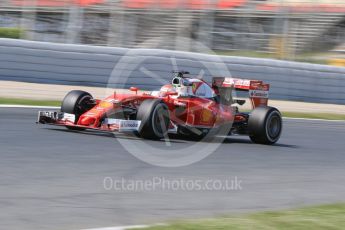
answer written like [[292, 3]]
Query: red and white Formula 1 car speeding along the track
[[188, 107]]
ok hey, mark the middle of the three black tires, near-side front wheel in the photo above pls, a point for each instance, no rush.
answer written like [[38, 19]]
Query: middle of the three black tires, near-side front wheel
[[154, 116]]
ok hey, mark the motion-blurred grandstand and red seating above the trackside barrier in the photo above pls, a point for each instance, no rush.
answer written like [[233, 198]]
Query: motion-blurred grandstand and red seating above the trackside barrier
[[300, 30]]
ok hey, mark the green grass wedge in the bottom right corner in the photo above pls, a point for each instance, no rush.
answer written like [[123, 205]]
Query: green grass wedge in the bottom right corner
[[316, 218]]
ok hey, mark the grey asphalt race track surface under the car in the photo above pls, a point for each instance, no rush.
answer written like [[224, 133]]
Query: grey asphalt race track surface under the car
[[51, 178]]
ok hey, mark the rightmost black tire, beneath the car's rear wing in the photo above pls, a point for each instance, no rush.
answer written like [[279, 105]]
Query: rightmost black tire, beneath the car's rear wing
[[265, 125]]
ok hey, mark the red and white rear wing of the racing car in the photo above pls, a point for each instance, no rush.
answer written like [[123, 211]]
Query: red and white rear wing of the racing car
[[258, 90]]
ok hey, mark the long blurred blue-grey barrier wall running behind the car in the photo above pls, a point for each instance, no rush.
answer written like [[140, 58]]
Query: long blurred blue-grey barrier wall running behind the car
[[39, 62]]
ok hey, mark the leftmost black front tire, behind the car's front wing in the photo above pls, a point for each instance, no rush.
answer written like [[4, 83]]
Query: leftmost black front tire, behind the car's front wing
[[76, 102]]
